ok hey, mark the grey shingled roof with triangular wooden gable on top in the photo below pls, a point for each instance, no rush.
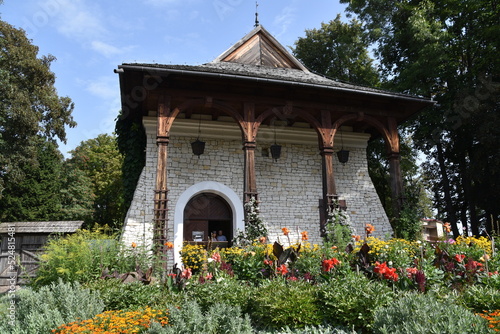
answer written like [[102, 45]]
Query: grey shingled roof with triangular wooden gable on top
[[260, 57]]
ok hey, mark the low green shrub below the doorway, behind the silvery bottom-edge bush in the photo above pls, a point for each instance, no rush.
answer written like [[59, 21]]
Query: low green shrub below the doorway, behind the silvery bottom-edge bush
[[227, 291]]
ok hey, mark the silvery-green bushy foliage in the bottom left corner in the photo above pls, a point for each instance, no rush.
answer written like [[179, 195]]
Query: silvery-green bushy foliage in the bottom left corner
[[51, 306]]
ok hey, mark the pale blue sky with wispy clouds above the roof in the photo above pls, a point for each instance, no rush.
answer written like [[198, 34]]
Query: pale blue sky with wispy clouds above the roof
[[90, 38]]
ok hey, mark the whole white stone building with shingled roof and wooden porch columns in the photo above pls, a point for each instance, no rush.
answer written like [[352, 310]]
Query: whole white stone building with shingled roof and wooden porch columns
[[254, 95]]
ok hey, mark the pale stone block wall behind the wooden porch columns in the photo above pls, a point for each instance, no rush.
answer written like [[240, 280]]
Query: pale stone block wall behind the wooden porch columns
[[289, 189]]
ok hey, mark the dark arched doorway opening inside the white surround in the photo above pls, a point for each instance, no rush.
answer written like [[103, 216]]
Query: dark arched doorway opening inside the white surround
[[204, 213]]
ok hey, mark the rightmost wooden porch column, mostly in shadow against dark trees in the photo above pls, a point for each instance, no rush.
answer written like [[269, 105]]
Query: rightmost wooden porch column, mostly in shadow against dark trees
[[393, 156]]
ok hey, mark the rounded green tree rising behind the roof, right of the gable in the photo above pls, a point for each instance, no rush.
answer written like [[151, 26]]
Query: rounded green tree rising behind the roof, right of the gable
[[338, 50]]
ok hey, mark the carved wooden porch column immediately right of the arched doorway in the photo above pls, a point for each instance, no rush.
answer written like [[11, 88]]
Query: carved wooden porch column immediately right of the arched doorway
[[249, 126]]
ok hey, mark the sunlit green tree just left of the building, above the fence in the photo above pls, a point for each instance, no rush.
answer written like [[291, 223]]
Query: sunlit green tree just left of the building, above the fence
[[101, 162]]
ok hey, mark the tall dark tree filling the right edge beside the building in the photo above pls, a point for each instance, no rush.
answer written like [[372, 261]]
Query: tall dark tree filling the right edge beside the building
[[447, 49]]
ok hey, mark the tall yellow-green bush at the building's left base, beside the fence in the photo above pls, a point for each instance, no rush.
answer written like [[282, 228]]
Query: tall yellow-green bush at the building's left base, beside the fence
[[82, 257]]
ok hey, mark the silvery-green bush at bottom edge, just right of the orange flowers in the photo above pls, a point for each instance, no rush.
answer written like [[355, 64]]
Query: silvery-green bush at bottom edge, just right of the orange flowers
[[218, 319]]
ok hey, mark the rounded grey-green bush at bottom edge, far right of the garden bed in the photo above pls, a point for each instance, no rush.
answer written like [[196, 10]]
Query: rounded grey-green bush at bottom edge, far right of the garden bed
[[417, 313]]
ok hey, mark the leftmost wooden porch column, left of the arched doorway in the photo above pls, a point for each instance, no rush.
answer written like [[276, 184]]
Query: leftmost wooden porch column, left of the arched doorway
[[161, 188]]
